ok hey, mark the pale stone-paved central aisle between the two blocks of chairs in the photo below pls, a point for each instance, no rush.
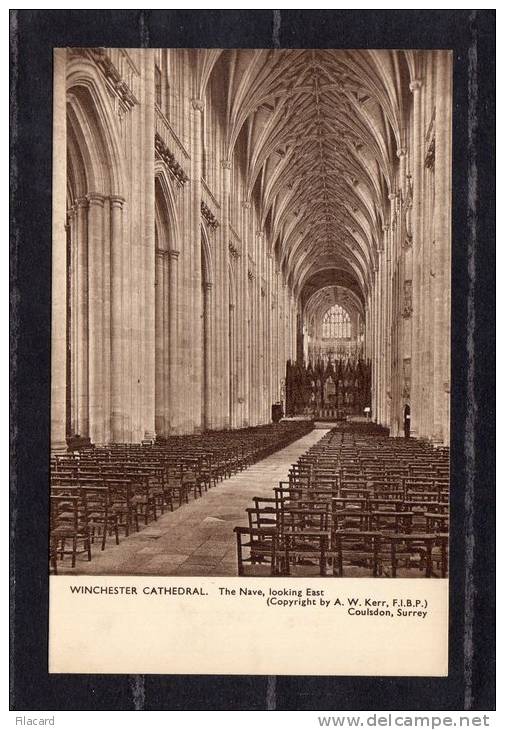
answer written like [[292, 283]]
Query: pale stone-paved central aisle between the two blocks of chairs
[[198, 538]]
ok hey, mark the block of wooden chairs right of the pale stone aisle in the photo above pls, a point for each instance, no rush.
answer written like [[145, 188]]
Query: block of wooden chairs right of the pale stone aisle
[[354, 500]]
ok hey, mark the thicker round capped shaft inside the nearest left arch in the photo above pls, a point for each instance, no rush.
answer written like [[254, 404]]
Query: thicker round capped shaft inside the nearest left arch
[[95, 293]]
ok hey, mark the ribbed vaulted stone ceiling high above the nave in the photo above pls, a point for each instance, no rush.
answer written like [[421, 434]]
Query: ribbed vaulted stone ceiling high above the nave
[[323, 130]]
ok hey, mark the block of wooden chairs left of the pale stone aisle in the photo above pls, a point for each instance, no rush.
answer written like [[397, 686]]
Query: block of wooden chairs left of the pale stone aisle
[[104, 492]]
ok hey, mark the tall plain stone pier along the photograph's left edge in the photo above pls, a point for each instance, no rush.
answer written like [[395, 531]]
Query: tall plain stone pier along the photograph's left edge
[[59, 256]]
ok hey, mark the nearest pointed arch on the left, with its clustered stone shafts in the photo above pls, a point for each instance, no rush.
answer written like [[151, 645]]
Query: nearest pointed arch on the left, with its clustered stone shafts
[[95, 245]]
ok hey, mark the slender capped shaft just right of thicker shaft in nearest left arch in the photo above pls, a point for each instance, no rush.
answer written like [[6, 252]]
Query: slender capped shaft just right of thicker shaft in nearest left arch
[[117, 353]]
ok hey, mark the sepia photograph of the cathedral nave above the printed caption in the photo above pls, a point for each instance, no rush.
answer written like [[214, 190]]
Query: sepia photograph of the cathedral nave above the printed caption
[[251, 312]]
